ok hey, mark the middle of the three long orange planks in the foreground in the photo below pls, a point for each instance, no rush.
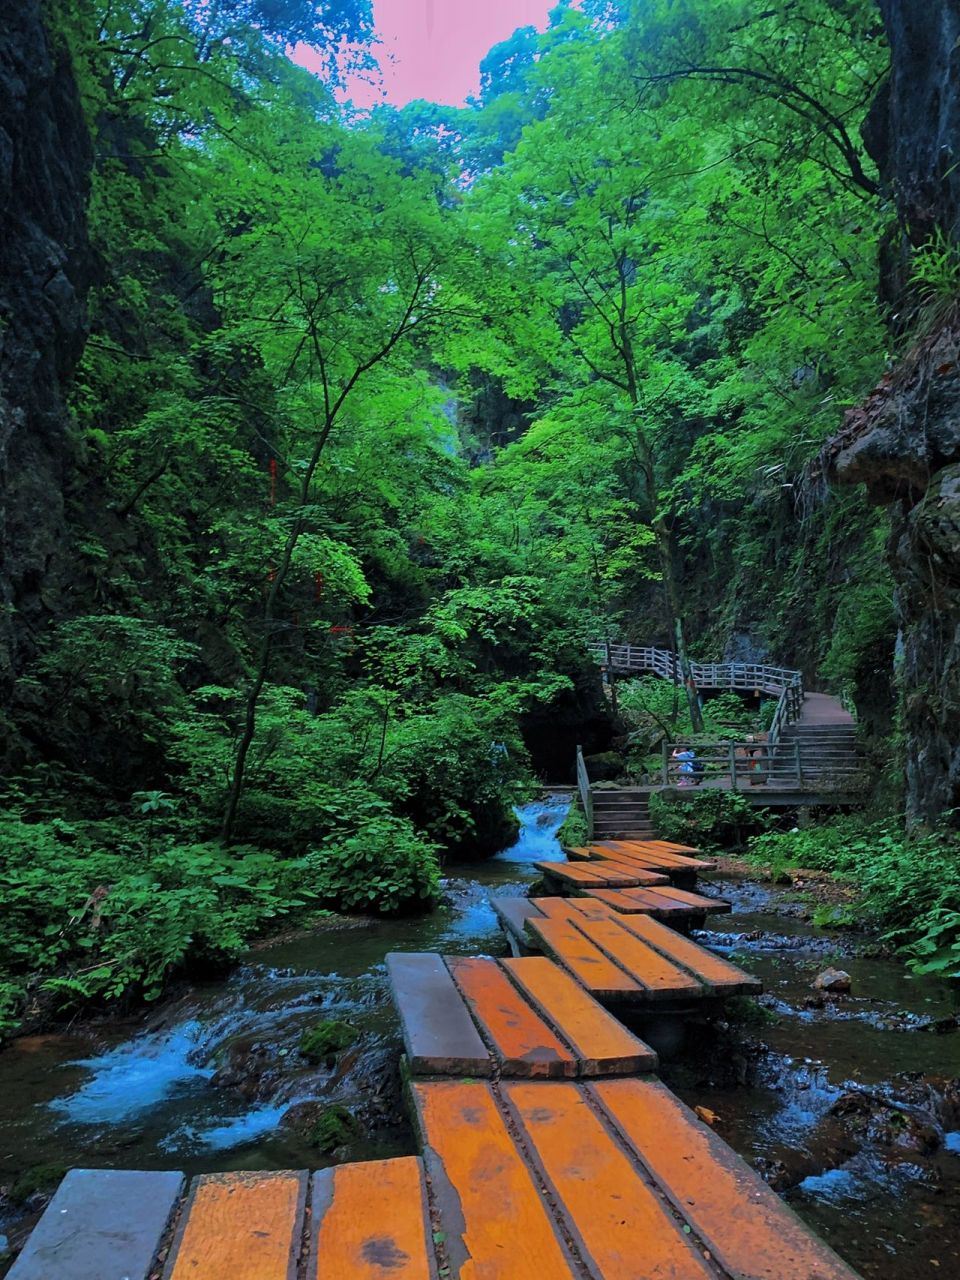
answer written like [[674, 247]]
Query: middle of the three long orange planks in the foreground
[[615, 1217]]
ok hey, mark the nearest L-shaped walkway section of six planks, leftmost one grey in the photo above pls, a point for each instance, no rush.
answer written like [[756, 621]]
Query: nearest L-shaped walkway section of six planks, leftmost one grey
[[525, 1181]]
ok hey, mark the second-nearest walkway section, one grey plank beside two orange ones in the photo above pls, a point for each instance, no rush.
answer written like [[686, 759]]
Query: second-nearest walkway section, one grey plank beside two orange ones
[[528, 1017]]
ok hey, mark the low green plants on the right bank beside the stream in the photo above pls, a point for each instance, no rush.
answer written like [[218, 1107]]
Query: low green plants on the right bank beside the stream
[[911, 884]]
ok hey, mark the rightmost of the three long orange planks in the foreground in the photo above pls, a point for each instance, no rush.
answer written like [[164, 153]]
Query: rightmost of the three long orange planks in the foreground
[[746, 1226]]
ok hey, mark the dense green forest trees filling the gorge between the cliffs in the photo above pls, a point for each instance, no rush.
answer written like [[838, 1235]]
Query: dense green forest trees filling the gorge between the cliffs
[[378, 417]]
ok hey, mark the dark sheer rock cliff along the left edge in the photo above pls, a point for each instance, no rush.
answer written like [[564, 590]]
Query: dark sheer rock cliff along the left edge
[[45, 158]]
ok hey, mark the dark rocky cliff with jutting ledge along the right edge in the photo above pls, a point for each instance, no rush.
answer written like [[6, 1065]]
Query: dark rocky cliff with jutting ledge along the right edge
[[904, 444]]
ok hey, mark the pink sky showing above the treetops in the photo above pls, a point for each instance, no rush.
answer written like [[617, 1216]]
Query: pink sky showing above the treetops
[[433, 48]]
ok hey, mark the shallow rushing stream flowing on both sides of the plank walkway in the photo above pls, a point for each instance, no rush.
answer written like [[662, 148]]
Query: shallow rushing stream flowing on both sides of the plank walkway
[[849, 1105]]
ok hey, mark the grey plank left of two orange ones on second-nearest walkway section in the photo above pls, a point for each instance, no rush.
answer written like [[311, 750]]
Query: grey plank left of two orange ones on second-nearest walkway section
[[438, 1031]]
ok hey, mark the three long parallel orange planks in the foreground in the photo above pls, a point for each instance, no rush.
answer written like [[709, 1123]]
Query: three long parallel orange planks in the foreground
[[616, 1181]]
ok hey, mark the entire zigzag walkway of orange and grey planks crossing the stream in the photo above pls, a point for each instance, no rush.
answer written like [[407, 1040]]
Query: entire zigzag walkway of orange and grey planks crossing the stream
[[546, 1154]]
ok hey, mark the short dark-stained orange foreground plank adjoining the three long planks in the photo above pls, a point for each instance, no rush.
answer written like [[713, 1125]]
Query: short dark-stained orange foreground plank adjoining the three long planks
[[371, 1222]]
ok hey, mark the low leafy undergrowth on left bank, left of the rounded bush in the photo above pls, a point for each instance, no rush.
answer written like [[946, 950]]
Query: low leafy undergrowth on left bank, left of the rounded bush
[[97, 912]]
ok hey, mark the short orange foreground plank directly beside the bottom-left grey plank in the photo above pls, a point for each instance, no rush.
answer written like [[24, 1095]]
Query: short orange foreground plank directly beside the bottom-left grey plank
[[241, 1227]]
